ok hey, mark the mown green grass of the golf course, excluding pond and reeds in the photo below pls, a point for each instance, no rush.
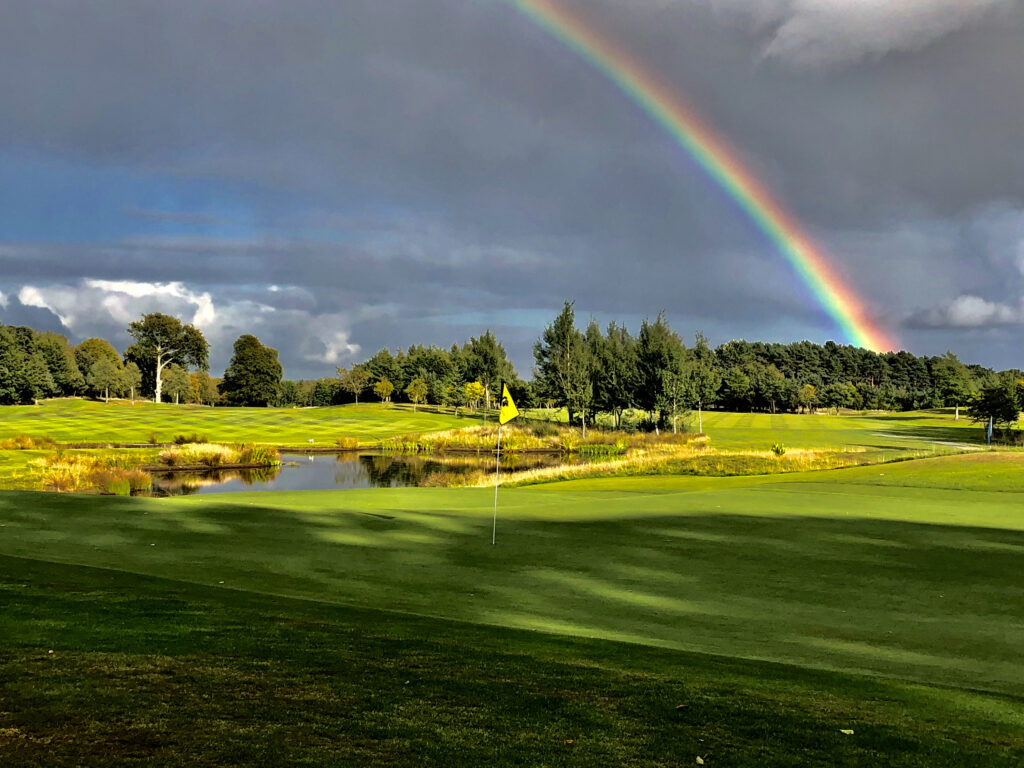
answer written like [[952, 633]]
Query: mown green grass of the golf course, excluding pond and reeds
[[851, 617]]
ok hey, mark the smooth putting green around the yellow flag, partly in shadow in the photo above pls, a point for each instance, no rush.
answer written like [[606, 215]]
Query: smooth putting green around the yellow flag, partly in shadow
[[851, 570]]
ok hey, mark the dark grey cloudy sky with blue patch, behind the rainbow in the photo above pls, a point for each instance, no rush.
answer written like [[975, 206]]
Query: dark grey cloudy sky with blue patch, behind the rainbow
[[337, 177]]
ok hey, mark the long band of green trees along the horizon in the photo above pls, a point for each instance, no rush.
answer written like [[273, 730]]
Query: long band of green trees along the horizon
[[587, 370]]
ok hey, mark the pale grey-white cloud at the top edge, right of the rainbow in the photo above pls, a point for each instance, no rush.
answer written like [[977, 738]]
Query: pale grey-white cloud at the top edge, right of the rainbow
[[829, 32]]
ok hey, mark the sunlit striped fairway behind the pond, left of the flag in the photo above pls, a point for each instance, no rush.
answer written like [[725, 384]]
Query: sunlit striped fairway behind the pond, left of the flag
[[73, 421]]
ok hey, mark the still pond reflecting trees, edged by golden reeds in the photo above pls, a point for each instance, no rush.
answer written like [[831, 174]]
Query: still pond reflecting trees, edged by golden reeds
[[328, 473]]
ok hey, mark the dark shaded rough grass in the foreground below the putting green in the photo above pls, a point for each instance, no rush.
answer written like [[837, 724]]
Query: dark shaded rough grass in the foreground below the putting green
[[143, 671]]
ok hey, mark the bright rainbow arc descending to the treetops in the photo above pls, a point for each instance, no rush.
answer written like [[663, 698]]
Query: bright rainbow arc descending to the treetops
[[682, 123]]
